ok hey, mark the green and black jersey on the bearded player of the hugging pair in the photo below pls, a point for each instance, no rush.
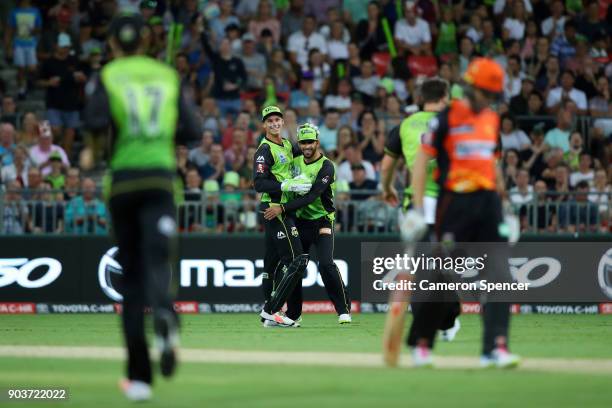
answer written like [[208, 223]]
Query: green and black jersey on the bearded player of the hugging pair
[[319, 201]]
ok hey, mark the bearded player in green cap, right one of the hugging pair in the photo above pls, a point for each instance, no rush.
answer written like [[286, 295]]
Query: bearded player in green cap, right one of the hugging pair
[[315, 215]]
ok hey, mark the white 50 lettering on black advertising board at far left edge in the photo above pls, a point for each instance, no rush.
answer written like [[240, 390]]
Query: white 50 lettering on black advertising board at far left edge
[[20, 271]]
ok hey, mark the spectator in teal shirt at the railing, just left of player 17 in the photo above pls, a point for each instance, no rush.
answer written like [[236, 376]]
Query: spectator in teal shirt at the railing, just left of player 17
[[86, 214]]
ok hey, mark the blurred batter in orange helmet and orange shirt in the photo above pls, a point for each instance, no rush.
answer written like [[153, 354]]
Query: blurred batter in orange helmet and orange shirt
[[465, 140]]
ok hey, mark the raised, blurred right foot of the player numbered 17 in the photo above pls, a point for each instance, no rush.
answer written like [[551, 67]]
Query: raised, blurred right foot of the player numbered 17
[[166, 341]]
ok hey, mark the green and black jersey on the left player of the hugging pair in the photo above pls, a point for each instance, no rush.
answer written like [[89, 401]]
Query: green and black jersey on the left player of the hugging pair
[[273, 164]]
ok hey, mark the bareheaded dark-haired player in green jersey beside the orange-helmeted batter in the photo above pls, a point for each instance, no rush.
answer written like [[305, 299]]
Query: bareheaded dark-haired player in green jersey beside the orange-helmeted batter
[[405, 141]]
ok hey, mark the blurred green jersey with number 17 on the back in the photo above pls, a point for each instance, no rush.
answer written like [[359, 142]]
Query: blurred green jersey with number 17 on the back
[[143, 96]]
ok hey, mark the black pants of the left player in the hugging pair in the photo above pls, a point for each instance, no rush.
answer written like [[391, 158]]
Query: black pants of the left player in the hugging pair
[[282, 246]]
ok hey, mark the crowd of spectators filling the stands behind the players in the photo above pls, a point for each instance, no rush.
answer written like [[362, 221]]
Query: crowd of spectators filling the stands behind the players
[[352, 67]]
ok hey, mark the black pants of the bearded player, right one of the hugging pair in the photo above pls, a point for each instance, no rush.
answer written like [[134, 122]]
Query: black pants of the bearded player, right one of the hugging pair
[[310, 235]]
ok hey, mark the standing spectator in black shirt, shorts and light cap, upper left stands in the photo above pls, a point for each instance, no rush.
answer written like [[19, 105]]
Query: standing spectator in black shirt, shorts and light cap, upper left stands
[[63, 78]]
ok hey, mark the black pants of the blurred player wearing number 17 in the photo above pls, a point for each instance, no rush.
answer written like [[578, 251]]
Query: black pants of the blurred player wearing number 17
[[144, 226]]
